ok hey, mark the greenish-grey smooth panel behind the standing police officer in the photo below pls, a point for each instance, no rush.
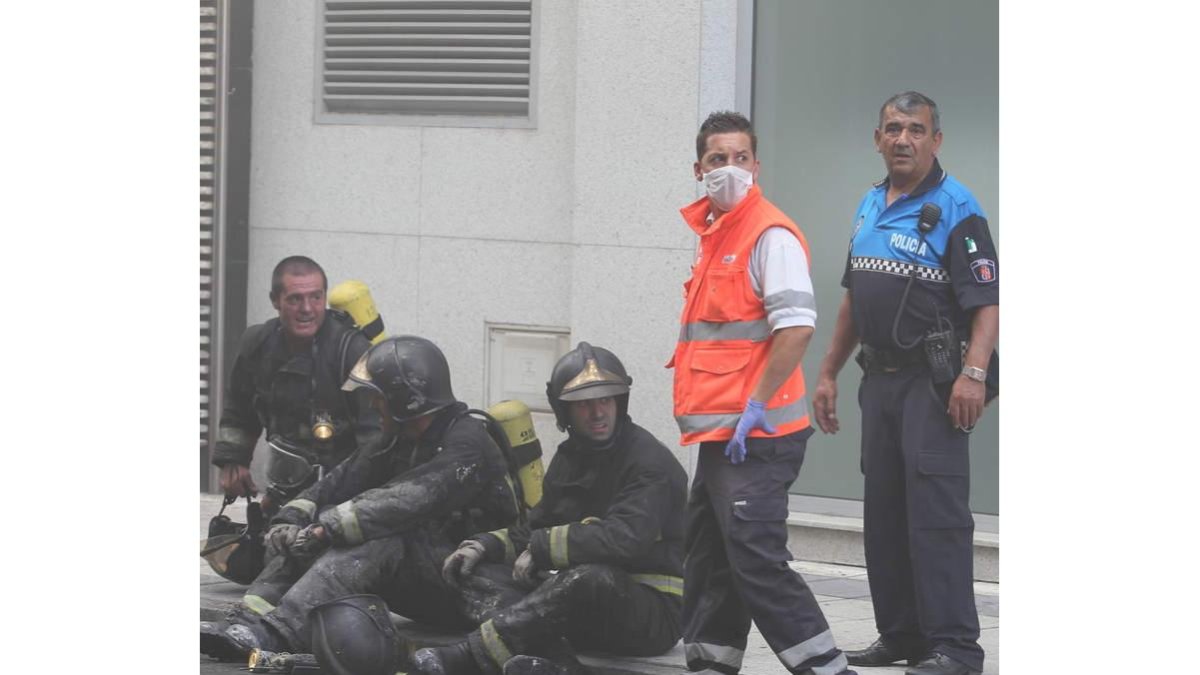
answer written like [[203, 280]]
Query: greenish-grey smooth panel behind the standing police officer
[[821, 71]]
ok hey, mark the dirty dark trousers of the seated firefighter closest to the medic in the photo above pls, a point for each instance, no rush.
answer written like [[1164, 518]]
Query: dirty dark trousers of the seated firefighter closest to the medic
[[596, 607]]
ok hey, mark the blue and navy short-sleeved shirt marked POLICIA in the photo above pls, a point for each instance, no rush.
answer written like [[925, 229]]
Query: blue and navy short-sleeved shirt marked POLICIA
[[956, 262]]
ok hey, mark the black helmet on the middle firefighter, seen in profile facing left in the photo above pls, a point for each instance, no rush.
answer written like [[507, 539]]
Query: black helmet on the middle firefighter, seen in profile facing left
[[407, 371]]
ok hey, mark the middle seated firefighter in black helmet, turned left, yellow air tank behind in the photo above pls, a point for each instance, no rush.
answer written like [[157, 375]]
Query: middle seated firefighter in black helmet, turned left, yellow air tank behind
[[383, 521]]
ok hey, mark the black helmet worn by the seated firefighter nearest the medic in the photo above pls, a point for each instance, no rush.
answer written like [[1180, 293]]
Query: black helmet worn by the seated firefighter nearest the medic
[[587, 373]]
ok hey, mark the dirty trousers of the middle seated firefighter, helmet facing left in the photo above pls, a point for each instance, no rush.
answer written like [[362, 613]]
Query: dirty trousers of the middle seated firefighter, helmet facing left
[[405, 571]]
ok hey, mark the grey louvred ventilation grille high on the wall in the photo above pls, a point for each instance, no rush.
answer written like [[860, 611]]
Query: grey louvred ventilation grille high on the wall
[[428, 57]]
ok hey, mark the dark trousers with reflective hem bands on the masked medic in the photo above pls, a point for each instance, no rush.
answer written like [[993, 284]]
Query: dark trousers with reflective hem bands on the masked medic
[[737, 570]]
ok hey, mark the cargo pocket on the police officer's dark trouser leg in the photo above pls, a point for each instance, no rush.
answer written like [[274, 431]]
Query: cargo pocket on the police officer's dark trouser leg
[[944, 491]]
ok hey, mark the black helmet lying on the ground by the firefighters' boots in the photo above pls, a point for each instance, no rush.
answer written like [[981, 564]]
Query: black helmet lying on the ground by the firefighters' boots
[[355, 636]]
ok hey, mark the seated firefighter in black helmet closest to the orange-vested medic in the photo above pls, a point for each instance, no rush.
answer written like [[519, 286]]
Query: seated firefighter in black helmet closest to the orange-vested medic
[[611, 523]]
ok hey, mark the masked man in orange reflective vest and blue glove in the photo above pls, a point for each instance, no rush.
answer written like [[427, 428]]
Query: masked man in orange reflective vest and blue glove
[[747, 320]]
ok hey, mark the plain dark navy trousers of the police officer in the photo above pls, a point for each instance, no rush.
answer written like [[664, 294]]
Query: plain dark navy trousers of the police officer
[[916, 516]]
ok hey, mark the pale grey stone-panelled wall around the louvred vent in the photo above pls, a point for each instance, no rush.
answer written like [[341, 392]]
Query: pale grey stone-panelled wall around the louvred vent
[[574, 224]]
